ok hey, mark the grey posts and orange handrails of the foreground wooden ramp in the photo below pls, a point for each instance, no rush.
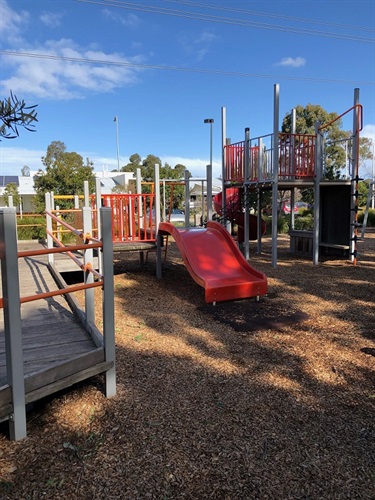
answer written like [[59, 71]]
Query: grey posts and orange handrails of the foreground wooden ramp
[[11, 300]]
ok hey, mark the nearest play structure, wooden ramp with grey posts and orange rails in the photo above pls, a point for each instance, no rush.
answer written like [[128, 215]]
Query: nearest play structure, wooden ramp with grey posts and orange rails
[[50, 347]]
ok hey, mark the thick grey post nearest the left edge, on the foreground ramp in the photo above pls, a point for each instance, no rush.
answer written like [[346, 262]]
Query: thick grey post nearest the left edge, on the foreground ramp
[[12, 321]]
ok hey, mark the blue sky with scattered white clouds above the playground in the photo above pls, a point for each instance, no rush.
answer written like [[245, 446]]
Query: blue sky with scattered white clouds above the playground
[[163, 66]]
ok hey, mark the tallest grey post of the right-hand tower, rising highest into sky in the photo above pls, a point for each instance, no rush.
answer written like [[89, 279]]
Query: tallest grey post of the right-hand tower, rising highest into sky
[[275, 167]]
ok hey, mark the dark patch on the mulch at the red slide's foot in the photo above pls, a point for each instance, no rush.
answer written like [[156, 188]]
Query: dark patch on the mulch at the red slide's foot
[[249, 315]]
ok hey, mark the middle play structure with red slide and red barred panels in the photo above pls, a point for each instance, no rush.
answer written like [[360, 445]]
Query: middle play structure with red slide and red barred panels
[[210, 254]]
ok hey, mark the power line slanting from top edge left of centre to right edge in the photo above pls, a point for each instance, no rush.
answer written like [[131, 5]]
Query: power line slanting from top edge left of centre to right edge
[[227, 20]]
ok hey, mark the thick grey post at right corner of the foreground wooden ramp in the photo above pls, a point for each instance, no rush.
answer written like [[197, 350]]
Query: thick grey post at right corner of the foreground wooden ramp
[[108, 301]]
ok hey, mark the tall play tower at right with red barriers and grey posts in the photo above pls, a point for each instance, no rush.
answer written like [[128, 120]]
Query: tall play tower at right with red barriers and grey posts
[[280, 161]]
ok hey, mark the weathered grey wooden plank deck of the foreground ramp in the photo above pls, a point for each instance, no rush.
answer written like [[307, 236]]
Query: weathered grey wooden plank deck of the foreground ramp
[[58, 350]]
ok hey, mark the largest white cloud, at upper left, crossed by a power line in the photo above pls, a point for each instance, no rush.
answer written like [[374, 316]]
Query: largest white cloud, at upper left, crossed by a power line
[[54, 78]]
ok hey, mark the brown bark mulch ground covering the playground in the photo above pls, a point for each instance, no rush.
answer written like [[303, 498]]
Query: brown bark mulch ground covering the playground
[[244, 400]]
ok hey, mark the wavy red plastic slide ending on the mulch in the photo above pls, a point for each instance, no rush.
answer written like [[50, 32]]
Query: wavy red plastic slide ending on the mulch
[[215, 262]]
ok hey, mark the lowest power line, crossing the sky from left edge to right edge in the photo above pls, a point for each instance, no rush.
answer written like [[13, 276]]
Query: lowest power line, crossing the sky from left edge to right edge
[[178, 69]]
